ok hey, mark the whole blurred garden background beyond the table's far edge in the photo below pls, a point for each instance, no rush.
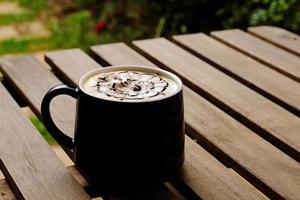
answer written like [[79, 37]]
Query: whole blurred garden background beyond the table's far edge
[[37, 25]]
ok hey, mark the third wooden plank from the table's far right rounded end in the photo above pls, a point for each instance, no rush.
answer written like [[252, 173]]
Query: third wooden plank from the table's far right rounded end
[[266, 81]]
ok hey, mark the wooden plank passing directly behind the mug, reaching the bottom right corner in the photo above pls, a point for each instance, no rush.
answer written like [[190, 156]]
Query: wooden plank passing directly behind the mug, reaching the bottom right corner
[[247, 150]]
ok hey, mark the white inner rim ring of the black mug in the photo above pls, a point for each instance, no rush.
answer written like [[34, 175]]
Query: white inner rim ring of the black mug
[[168, 74]]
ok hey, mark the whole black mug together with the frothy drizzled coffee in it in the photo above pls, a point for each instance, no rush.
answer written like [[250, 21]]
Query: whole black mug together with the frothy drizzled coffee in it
[[132, 118]]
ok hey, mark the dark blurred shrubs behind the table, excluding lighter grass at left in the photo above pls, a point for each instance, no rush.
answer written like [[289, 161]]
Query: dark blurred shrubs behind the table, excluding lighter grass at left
[[129, 19]]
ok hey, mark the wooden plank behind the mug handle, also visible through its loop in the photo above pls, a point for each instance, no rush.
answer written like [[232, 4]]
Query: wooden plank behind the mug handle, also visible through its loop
[[32, 80]]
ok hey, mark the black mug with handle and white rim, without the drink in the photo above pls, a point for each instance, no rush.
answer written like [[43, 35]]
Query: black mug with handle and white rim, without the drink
[[123, 143]]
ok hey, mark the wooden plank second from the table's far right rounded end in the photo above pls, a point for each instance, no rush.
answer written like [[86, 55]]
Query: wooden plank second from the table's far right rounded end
[[270, 55]]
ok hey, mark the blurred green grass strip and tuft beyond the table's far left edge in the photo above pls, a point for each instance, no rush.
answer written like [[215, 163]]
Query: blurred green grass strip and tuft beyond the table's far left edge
[[69, 33]]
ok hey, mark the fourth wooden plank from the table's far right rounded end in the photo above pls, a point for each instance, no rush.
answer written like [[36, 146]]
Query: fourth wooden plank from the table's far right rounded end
[[258, 113]]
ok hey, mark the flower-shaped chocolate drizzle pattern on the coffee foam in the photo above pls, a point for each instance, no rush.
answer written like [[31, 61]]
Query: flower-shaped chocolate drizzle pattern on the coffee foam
[[131, 85]]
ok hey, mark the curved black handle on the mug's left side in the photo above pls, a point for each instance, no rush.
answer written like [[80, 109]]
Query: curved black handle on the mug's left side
[[58, 135]]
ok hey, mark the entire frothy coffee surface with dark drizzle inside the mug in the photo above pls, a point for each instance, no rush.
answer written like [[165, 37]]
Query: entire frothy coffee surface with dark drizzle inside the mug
[[130, 85]]
